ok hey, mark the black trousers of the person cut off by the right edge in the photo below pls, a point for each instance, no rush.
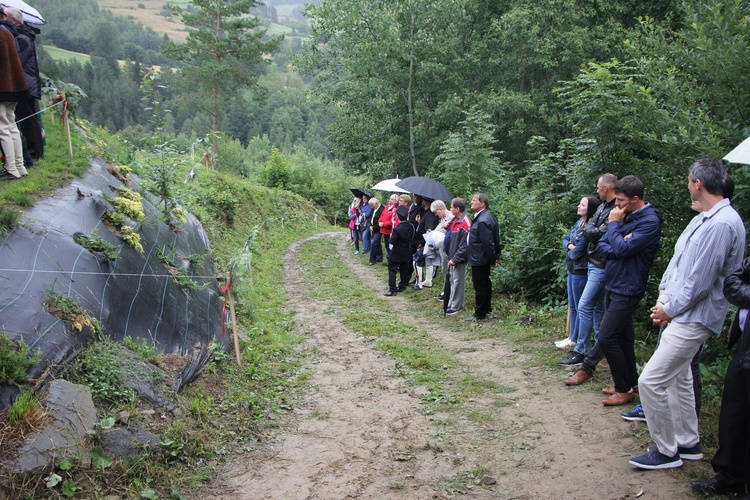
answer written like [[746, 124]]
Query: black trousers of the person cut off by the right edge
[[732, 460]]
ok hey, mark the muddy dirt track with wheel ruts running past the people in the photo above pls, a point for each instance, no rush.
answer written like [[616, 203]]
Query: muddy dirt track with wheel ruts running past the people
[[362, 432]]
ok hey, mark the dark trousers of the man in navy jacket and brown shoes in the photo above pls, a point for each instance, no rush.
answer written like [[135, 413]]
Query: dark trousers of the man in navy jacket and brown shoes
[[616, 340]]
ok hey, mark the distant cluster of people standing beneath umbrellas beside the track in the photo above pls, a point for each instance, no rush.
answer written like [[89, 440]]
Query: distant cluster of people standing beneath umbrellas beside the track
[[418, 237]]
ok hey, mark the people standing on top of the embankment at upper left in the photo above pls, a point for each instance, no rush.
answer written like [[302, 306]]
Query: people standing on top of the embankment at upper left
[[20, 89]]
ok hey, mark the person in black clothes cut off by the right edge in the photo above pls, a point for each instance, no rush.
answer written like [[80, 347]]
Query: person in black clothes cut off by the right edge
[[732, 461]]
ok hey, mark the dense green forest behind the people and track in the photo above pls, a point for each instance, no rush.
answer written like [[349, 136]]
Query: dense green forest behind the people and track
[[527, 101]]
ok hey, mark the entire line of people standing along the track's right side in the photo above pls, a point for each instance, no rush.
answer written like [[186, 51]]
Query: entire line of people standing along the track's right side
[[609, 253]]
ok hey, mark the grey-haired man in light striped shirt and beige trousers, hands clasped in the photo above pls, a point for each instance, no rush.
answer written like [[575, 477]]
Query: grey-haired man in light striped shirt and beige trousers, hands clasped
[[692, 306]]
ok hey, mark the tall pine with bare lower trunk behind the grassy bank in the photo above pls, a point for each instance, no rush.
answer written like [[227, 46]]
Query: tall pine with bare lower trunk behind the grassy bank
[[222, 54]]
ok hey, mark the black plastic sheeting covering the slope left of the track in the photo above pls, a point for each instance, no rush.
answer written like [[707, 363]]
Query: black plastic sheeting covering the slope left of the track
[[134, 295]]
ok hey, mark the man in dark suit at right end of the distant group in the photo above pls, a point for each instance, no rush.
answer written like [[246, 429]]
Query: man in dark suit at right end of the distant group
[[484, 251]]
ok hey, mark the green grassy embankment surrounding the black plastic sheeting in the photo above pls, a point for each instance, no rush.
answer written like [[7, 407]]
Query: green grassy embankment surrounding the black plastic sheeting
[[222, 412]]
